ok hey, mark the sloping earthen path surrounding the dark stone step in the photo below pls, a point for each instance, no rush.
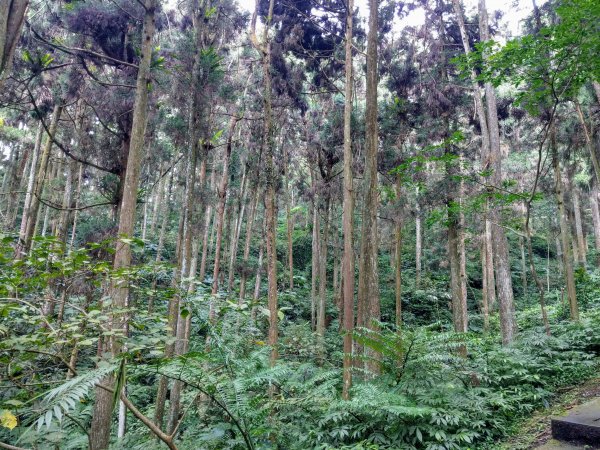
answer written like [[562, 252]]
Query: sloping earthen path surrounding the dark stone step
[[535, 433]]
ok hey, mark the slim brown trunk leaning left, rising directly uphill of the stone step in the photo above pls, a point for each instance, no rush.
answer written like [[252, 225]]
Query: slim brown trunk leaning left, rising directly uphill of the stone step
[[565, 233]]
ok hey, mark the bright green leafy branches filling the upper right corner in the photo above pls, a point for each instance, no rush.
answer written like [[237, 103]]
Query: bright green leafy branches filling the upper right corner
[[549, 66]]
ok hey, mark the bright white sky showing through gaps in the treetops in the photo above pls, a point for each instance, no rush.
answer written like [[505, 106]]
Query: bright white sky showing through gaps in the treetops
[[514, 12]]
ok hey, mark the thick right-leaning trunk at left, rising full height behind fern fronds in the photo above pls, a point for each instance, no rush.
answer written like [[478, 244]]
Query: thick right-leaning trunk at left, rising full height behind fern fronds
[[101, 419]]
